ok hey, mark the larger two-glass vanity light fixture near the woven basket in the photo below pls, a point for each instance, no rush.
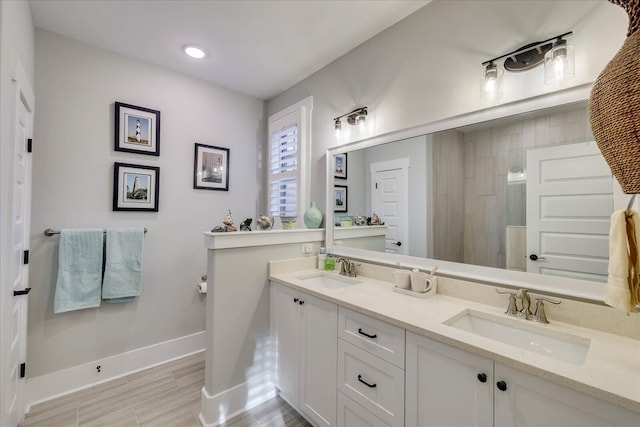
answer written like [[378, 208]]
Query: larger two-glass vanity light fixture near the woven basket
[[556, 54]]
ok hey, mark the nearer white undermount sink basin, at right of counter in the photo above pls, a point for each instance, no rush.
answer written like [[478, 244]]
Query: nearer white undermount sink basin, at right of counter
[[525, 335]]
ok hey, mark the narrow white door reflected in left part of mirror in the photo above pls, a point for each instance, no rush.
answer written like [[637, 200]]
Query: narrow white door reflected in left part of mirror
[[389, 200]]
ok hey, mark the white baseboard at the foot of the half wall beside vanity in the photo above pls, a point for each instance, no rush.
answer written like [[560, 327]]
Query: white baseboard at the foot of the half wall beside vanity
[[229, 403]]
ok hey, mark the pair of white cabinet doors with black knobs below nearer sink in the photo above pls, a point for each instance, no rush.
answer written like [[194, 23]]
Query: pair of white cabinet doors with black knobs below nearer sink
[[450, 387]]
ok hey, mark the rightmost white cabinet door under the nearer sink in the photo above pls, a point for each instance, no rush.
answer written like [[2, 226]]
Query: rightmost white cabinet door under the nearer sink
[[529, 401]]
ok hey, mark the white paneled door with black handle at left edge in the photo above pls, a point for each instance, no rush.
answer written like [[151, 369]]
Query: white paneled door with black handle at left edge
[[14, 311]]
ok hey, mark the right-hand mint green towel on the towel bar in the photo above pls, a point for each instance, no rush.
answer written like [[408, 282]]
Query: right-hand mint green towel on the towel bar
[[123, 265]]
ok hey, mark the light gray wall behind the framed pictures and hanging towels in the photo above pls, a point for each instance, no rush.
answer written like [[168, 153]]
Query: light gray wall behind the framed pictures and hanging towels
[[76, 86]]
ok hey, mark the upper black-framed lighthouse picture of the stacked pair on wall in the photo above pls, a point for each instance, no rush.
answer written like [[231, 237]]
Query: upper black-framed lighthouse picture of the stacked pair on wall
[[137, 129]]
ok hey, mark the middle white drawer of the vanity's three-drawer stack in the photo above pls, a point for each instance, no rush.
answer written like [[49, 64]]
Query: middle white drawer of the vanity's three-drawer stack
[[375, 384]]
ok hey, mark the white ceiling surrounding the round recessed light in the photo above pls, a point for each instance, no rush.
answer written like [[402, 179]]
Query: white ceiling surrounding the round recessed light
[[256, 47]]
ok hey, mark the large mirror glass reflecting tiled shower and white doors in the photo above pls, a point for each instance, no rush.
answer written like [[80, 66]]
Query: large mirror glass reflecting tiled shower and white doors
[[527, 193]]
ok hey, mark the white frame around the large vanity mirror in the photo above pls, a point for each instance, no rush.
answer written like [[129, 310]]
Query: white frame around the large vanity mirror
[[564, 287]]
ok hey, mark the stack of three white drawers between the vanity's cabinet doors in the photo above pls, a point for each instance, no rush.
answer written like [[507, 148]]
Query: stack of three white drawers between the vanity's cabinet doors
[[370, 371]]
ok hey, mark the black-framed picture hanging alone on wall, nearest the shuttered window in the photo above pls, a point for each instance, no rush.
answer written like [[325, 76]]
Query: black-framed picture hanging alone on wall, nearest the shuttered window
[[211, 168]]
